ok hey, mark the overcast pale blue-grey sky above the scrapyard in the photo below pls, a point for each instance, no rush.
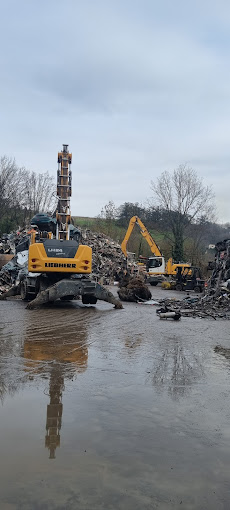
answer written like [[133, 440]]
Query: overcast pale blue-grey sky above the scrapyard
[[135, 87]]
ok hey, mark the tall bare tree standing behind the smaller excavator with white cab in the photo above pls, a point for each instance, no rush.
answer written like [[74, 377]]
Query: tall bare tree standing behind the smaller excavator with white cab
[[184, 198]]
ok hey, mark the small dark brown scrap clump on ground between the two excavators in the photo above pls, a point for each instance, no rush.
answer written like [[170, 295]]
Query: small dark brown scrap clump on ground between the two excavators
[[133, 289]]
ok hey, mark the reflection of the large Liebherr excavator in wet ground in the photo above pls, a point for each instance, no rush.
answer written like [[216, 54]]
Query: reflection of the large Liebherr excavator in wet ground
[[59, 356]]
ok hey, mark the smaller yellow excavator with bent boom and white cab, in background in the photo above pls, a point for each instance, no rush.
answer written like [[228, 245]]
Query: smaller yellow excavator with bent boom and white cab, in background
[[156, 266]]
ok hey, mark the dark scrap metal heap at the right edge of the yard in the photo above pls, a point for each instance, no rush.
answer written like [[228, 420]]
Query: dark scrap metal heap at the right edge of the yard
[[216, 301]]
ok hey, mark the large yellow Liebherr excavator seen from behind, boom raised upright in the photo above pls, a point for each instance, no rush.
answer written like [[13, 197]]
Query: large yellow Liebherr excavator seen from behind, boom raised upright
[[59, 267]]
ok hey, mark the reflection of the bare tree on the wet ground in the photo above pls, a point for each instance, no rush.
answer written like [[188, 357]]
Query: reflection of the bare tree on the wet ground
[[177, 368]]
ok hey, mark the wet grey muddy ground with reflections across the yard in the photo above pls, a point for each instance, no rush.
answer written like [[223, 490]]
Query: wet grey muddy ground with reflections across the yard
[[112, 409]]
